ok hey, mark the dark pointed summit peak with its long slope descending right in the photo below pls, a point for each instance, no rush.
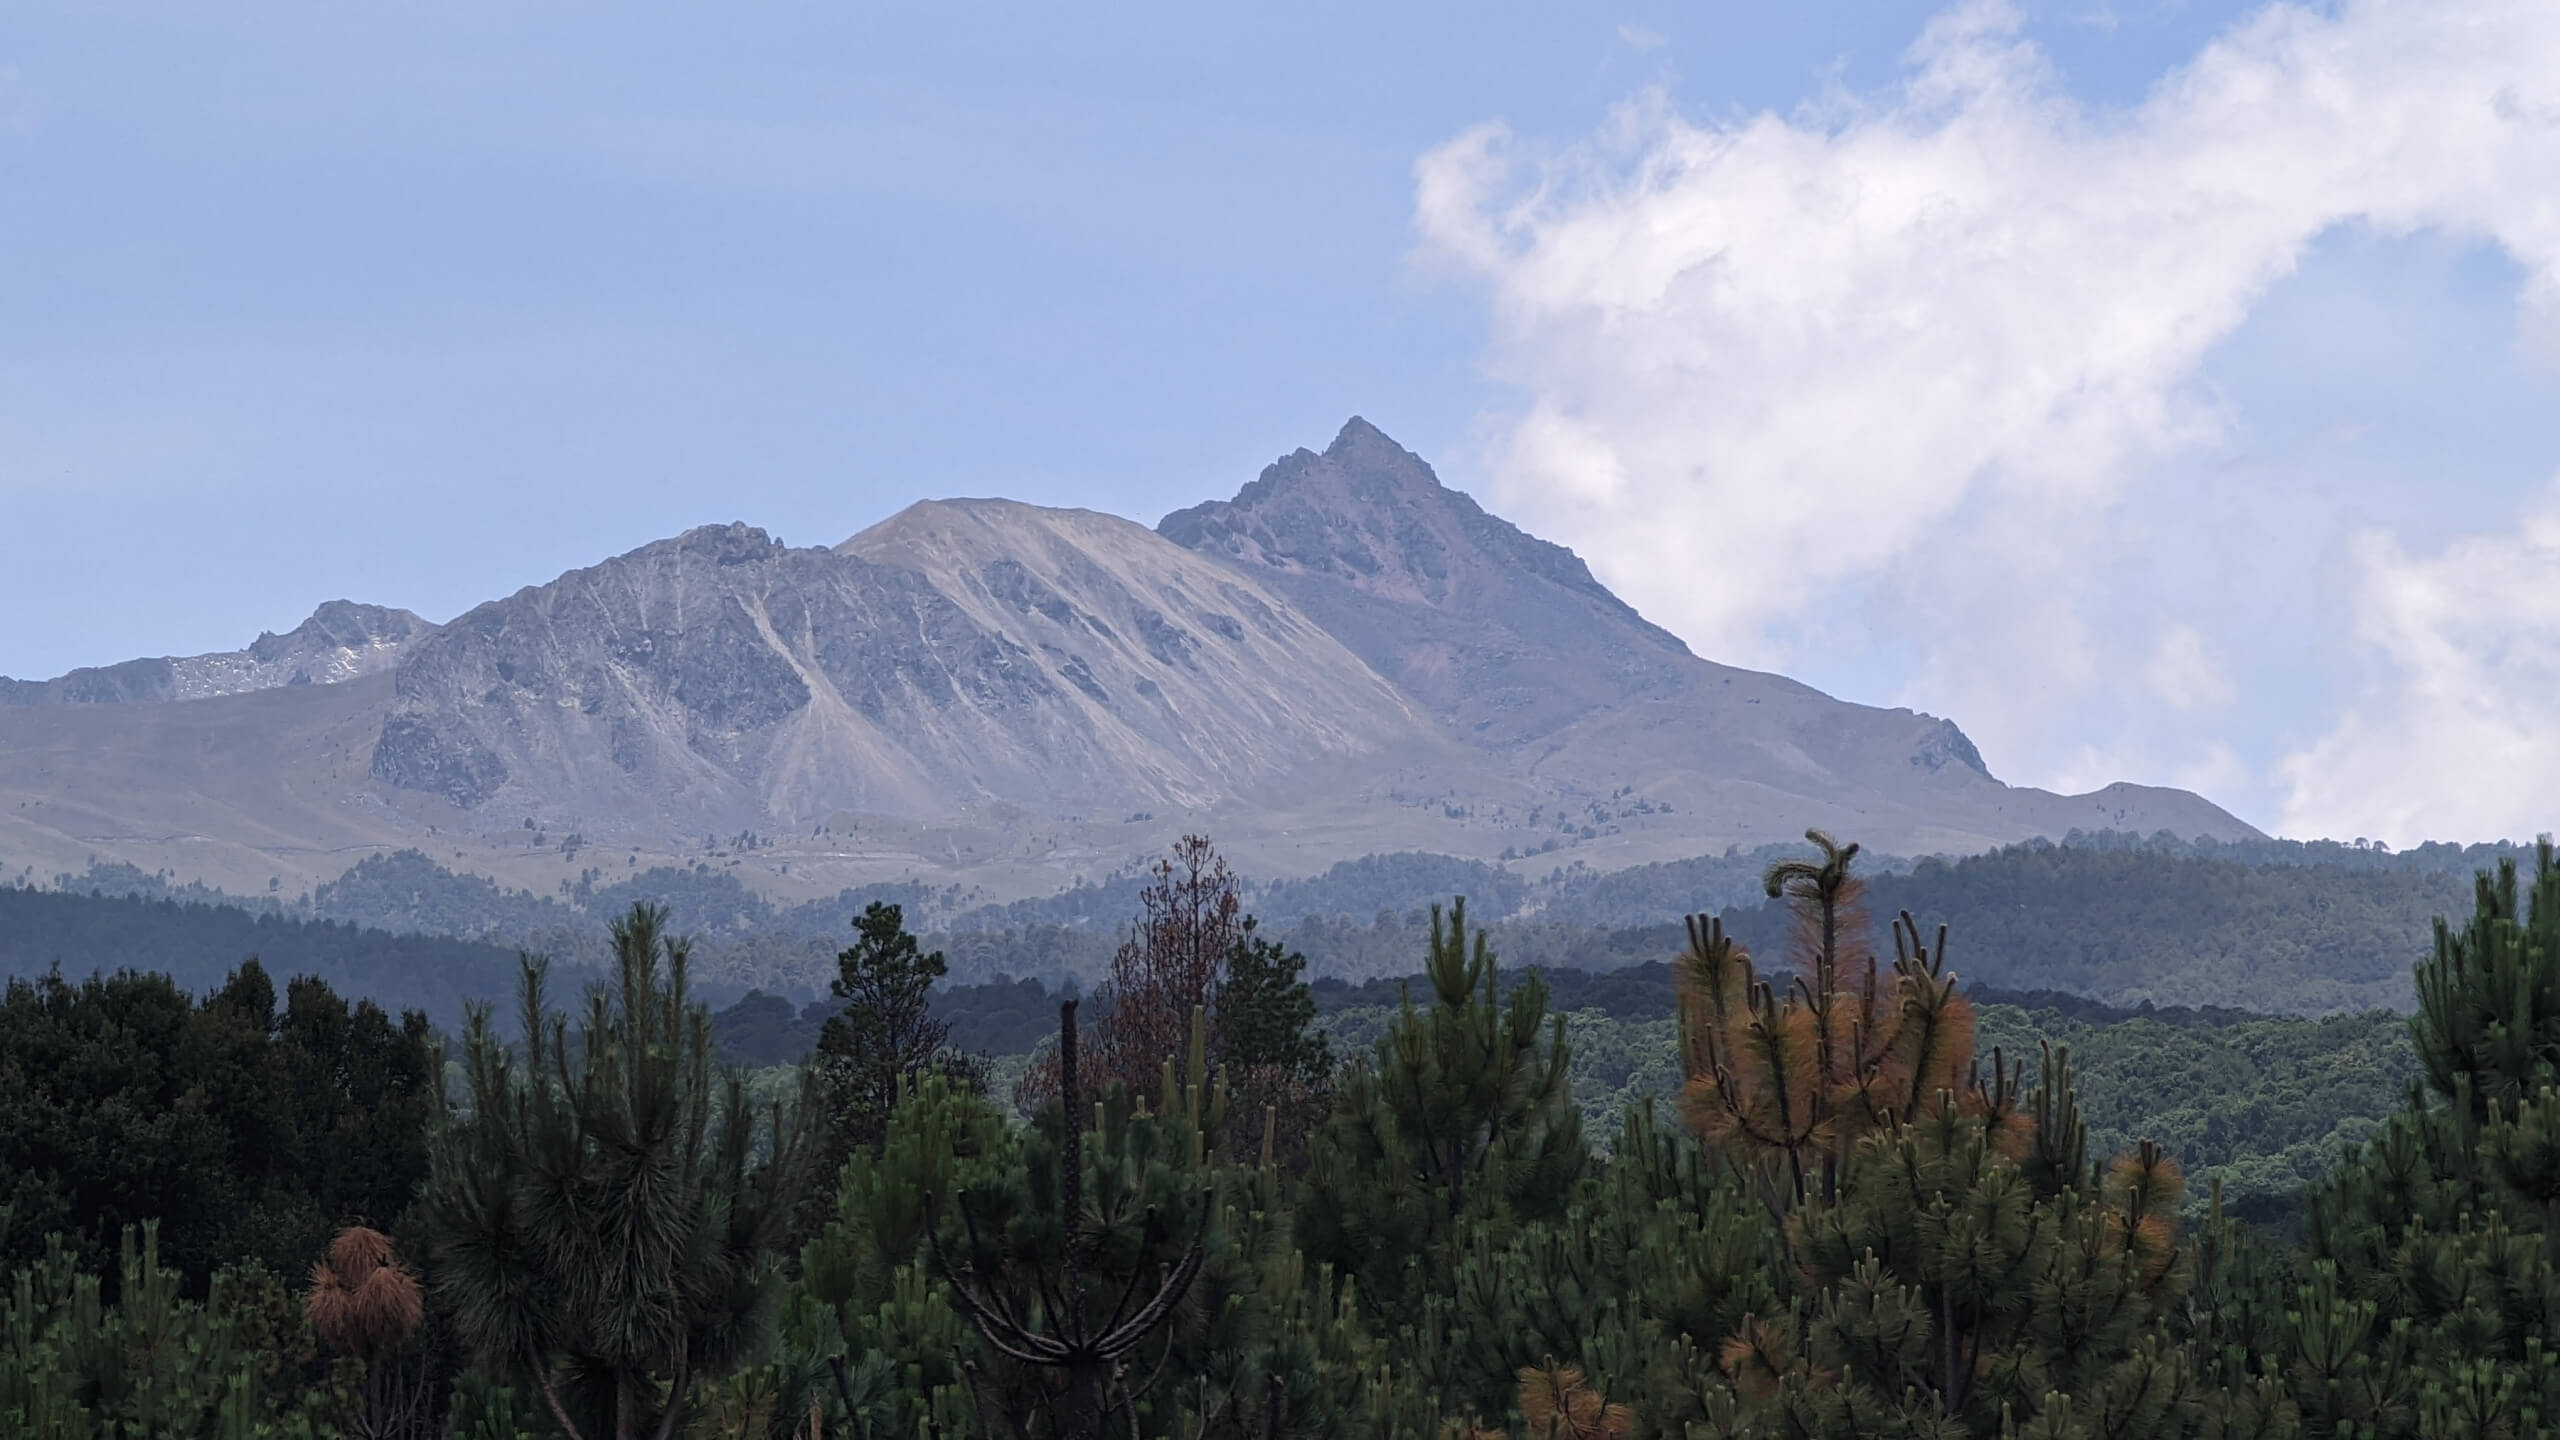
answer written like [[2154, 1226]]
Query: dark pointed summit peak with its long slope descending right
[[1517, 650]]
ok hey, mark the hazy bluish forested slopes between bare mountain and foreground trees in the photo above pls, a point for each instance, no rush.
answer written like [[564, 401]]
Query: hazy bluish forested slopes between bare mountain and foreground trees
[[2267, 926]]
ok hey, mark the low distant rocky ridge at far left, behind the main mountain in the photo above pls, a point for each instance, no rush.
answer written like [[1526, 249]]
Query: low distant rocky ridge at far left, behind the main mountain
[[337, 644]]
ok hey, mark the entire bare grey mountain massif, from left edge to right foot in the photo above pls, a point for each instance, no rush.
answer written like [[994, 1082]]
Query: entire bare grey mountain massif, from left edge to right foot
[[1343, 660]]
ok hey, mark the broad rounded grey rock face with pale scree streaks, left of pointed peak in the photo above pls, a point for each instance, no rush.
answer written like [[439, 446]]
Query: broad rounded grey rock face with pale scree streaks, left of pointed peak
[[954, 655]]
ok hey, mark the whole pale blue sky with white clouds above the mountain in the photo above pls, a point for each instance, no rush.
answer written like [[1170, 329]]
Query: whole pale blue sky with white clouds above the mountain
[[2162, 391]]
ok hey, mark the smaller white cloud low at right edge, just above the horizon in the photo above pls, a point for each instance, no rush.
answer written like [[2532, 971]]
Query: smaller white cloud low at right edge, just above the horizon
[[2454, 734]]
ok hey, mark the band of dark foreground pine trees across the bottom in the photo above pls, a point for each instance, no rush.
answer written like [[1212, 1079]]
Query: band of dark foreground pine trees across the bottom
[[1855, 1221]]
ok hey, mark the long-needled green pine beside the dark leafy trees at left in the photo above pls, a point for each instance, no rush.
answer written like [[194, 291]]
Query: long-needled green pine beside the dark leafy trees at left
[[605, 1216]]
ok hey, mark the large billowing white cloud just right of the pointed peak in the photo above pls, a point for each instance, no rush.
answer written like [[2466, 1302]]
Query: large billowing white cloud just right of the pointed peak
[[1926, 347]]
